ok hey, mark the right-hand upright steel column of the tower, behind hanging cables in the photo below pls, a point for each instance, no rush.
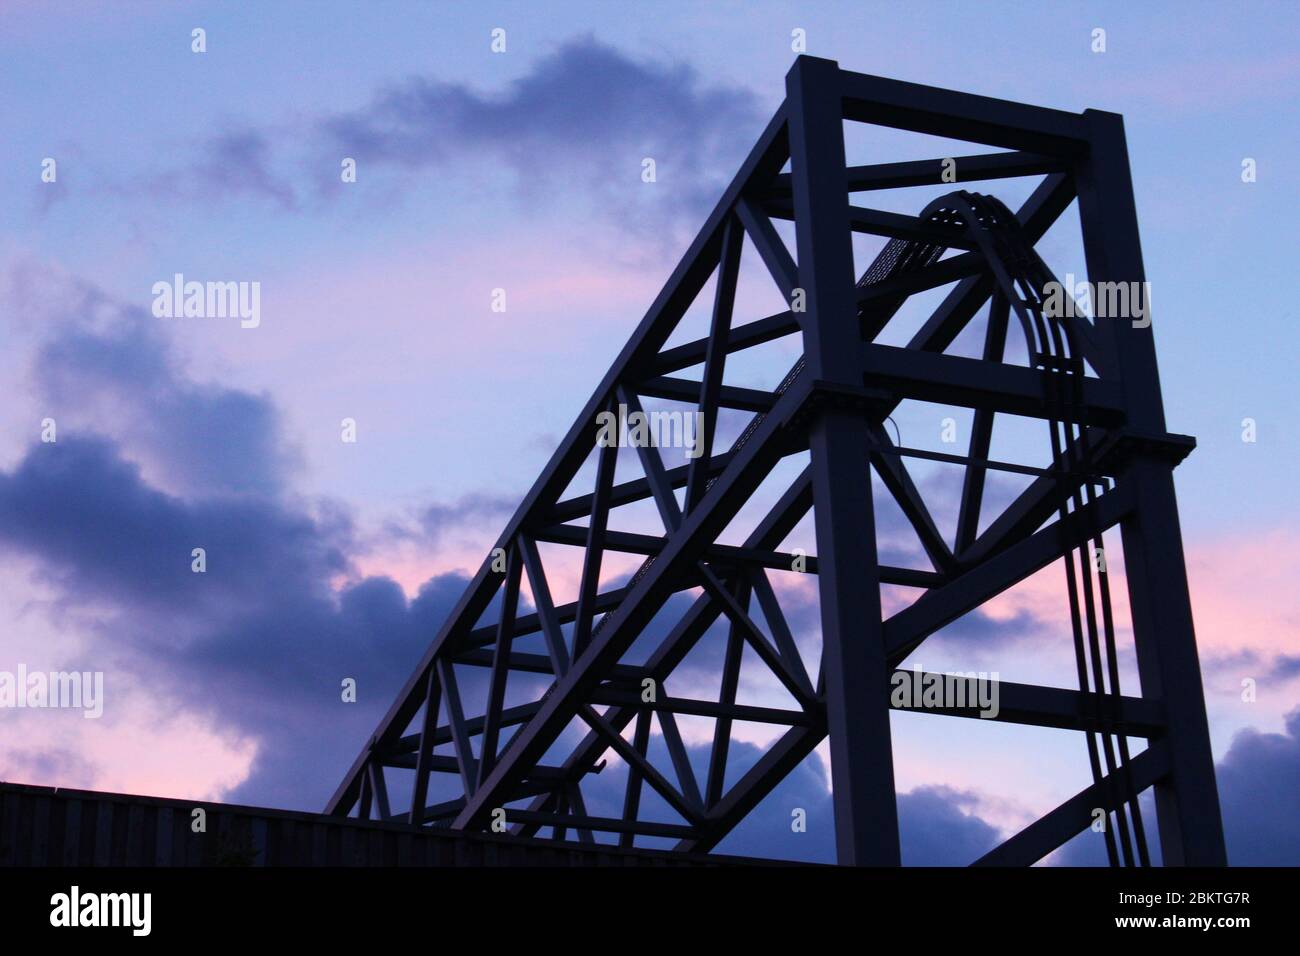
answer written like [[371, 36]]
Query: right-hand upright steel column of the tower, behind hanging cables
[[1188, 807]]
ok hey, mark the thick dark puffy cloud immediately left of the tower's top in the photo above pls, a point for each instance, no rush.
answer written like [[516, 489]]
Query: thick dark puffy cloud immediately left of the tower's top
[[583, 118]]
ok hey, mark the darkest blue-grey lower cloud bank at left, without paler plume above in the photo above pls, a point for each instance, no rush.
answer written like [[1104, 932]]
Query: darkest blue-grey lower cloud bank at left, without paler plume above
[[261, 642]]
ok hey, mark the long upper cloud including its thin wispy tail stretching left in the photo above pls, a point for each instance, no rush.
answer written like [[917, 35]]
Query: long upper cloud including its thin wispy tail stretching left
[[577, 127]]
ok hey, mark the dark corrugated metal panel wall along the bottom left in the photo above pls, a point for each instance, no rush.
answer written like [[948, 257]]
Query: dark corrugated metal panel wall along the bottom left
[[46, 827]]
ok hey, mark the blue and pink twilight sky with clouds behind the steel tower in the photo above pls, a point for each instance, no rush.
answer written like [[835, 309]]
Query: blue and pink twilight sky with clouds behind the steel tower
[[522, 171]]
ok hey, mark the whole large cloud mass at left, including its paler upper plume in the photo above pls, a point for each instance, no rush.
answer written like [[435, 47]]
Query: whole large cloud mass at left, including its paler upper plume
[[150, 465]]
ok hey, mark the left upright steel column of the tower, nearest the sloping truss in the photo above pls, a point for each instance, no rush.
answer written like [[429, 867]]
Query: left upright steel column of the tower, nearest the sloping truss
[[855, 667]]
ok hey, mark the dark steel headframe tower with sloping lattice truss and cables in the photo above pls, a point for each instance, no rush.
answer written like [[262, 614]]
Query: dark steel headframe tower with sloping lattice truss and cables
[[1093, 382]]
